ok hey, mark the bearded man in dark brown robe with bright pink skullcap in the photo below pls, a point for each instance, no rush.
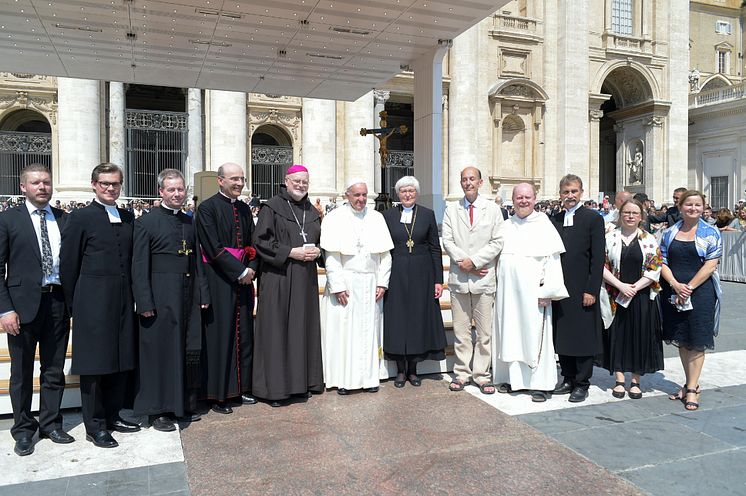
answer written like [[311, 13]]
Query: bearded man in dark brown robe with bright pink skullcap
[[287, 343]]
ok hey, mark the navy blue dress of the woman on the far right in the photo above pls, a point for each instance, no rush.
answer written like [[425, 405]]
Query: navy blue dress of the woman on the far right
[[693, 329]]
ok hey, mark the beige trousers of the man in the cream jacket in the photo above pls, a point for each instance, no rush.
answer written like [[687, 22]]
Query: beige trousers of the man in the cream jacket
[[472, 358]]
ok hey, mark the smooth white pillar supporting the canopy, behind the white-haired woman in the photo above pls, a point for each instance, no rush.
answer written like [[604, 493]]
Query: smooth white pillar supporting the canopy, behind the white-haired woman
[[428, 127]]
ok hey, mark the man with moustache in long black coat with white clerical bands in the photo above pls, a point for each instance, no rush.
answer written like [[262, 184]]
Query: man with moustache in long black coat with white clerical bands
[[577, 319]]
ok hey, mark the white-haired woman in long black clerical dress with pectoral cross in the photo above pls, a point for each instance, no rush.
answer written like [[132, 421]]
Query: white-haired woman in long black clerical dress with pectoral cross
[[412, 324]]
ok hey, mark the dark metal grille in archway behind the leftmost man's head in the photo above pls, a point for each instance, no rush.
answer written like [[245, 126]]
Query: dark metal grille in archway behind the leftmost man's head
[[17, 150]]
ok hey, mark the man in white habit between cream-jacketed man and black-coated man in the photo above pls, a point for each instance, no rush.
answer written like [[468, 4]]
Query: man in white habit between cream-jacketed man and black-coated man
[[529, 277]]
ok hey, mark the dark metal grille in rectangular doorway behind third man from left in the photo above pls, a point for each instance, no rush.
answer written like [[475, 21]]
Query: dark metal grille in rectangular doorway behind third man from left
[[155, 141]]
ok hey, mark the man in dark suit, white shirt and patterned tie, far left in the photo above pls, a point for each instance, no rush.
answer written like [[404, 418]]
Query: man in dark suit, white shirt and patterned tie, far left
[[32, 309]]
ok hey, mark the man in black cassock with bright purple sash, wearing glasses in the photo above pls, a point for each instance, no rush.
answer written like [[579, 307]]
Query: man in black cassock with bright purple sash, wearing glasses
[[224, 227]]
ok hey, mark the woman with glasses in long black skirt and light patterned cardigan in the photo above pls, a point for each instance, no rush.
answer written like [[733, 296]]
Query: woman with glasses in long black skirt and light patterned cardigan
[[629, 308]]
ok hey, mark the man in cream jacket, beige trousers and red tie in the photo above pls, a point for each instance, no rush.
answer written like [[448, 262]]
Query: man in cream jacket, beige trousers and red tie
[[472, 239]]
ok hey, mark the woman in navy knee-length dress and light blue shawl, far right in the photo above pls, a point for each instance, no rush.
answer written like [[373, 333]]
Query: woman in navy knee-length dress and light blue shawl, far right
[[691, 250]]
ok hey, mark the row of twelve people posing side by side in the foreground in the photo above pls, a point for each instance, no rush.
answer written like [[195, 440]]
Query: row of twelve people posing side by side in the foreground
[[162, 304]]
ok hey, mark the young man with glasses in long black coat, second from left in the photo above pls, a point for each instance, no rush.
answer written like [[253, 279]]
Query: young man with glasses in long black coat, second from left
[[95, 268]]
